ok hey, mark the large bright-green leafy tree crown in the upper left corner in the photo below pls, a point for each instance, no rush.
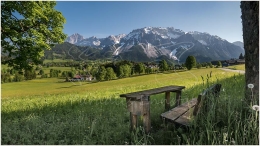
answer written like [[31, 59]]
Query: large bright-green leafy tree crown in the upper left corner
[[27, 29]]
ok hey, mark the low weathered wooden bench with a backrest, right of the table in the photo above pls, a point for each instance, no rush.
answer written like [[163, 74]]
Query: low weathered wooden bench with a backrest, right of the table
[[183, 114]]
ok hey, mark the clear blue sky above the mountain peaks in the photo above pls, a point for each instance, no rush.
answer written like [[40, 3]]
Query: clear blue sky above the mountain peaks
[[102, 18]]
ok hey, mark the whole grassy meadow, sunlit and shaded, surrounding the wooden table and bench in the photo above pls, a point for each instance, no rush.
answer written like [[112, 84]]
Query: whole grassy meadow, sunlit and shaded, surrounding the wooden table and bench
[[50, 111]]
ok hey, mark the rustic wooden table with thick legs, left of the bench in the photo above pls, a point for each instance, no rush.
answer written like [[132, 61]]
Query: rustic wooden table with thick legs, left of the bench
[[138, 103]]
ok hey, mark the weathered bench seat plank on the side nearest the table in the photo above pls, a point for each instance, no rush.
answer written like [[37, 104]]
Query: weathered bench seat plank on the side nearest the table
[[178, 111]]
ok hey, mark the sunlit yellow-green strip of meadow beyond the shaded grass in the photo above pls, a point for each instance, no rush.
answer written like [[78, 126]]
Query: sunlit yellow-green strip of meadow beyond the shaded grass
[[58, 86]]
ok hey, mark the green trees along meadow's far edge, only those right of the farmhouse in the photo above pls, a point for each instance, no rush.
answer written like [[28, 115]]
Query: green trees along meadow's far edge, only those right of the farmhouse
[[125, 69]]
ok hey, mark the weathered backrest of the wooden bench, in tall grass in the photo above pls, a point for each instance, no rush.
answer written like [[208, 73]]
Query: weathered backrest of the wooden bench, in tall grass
[[212, 91]]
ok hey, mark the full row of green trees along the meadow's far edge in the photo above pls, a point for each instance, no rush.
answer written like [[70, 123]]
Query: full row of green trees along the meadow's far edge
[[107, 71]]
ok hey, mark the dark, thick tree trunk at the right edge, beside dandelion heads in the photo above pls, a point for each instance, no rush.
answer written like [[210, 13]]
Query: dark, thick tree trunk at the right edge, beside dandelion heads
[[250, 22]]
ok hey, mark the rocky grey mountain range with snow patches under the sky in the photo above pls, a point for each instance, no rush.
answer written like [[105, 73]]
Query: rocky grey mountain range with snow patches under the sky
[[151, 44]]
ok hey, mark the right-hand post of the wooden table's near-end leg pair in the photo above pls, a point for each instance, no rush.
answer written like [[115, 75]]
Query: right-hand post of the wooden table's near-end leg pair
[[146, 117]]
